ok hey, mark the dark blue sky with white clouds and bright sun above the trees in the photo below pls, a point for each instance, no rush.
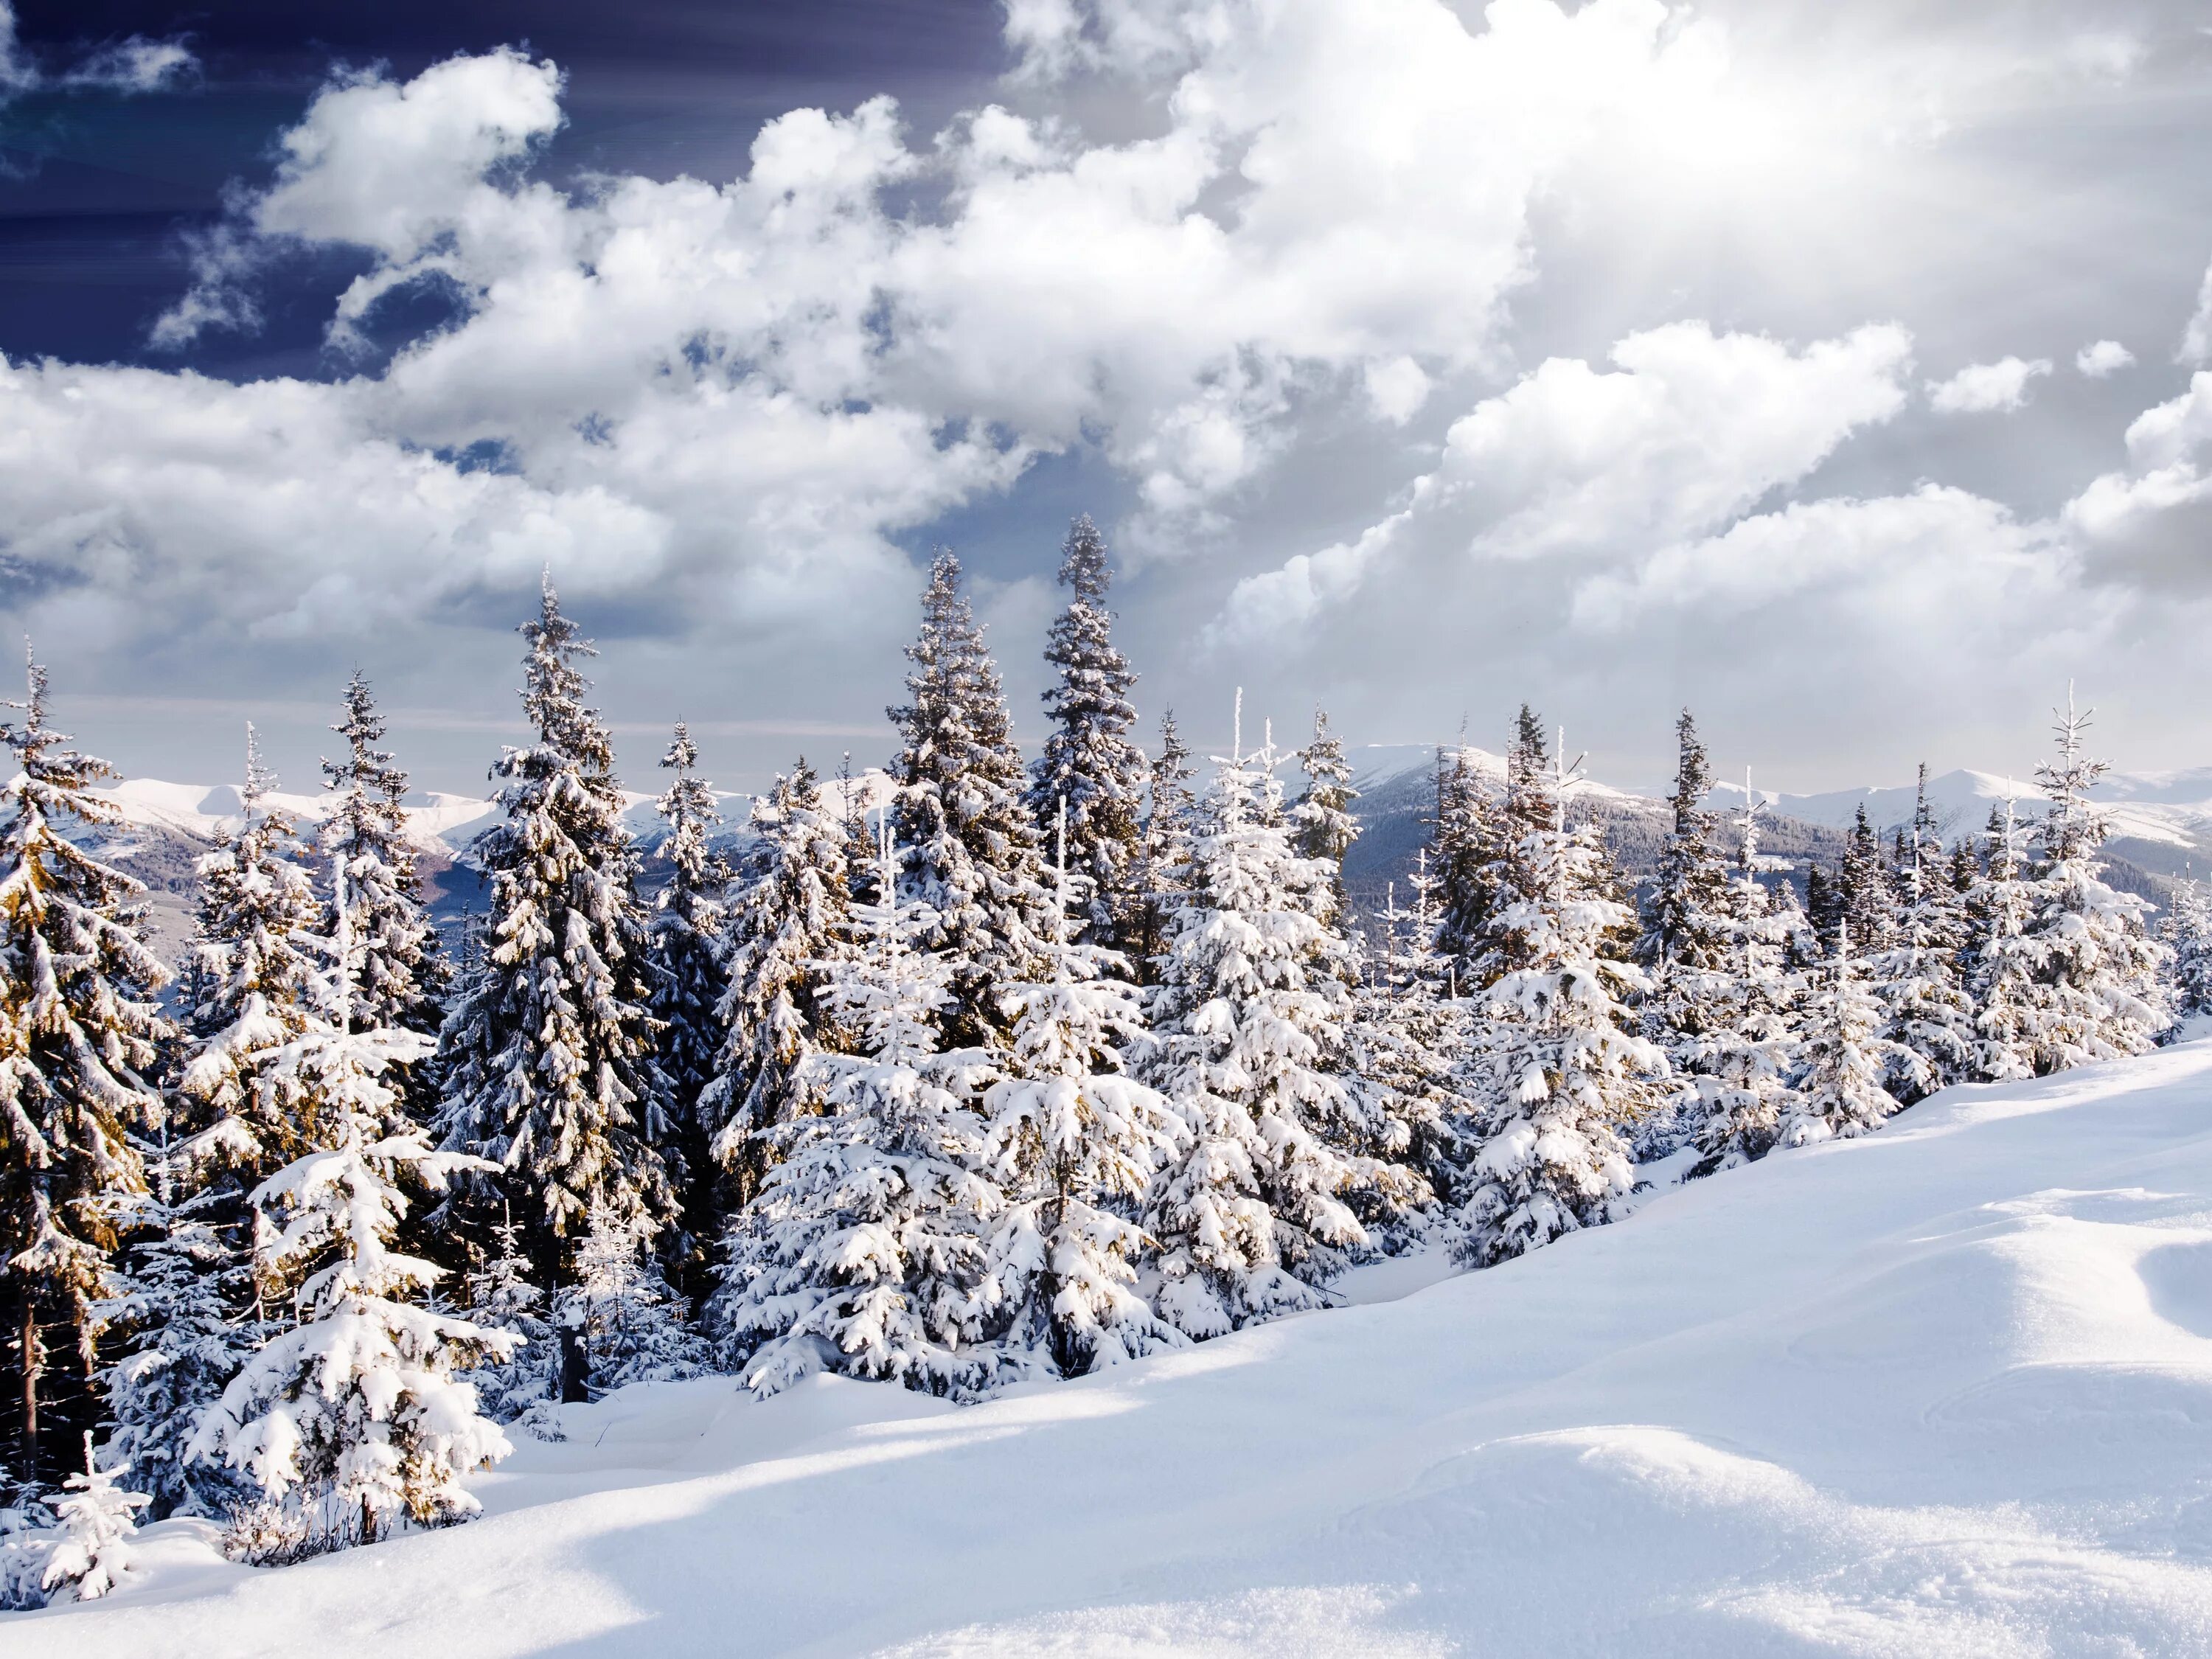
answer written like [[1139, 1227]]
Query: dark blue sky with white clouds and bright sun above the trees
[[1837, 373]]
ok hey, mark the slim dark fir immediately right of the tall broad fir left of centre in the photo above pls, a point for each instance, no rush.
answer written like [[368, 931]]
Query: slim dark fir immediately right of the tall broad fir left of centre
[[689, 983]]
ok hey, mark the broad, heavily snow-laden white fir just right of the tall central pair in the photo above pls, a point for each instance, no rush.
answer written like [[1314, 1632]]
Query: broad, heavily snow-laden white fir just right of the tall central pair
[[1249, 1047]]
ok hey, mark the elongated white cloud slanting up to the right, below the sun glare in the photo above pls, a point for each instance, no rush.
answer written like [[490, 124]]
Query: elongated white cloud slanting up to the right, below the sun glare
[[1689, 430]]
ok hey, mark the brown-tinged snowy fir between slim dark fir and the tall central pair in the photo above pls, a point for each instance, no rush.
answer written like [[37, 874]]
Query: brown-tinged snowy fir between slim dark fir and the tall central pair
[[786, 926]]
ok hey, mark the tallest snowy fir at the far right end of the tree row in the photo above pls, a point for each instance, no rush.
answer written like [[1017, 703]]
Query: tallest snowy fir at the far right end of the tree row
[[2100, 970]]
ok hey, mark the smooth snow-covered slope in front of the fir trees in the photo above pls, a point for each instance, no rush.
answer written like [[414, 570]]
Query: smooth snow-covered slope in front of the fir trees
[[1939, 1392]]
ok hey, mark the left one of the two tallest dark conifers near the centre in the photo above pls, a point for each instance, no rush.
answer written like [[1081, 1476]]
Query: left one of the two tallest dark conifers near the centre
[[972, 846]]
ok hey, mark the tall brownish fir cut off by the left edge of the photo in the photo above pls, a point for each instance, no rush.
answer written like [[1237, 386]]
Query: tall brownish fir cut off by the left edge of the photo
[[79, 1039]]
